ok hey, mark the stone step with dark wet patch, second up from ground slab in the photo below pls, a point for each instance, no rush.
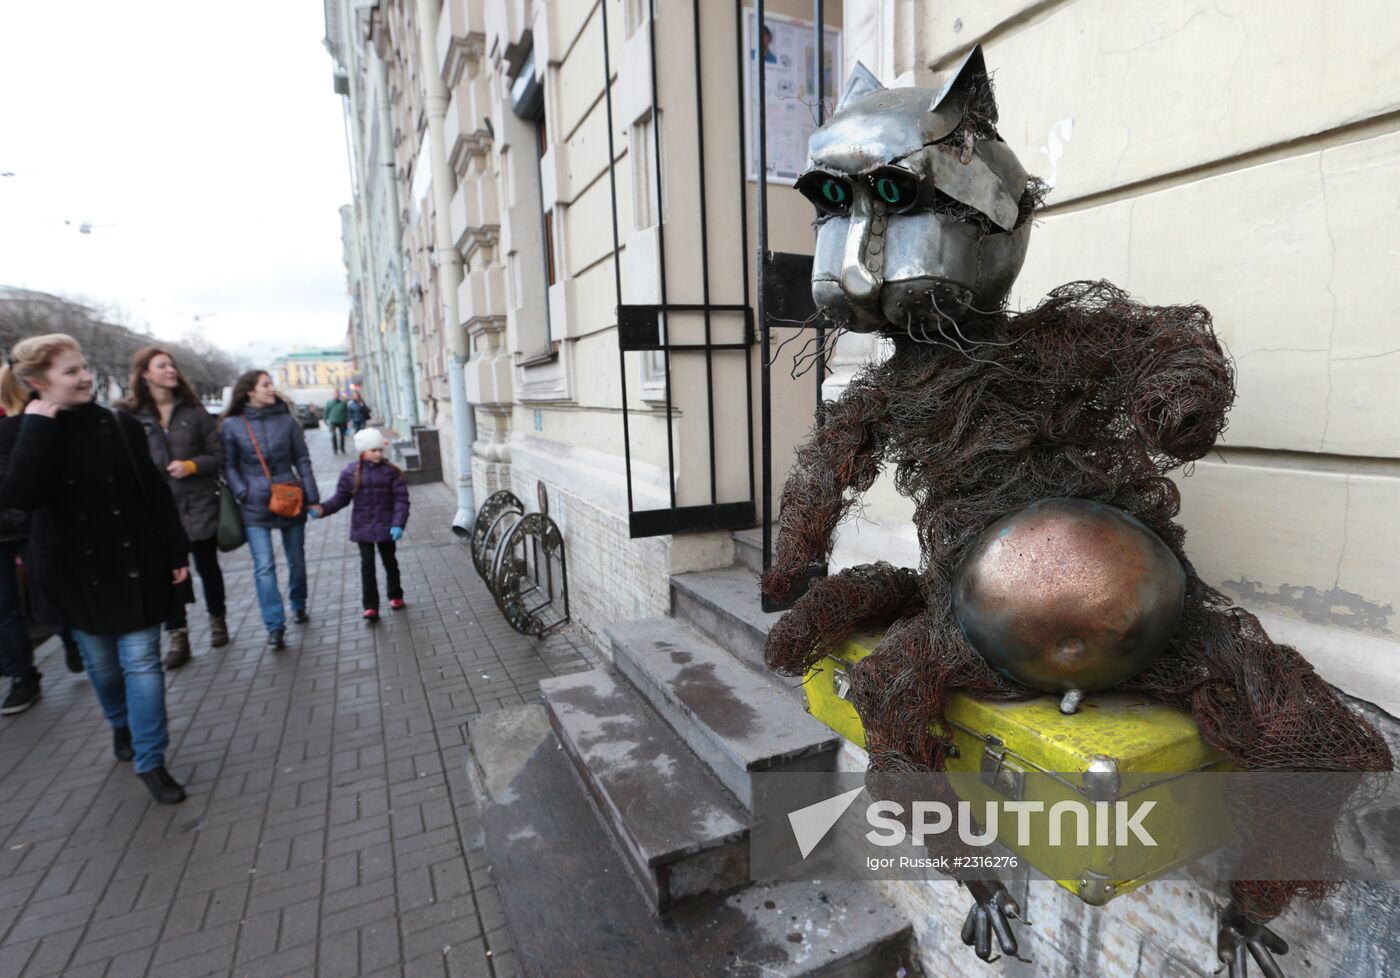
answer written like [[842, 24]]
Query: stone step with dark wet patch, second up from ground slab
[[737, 721]]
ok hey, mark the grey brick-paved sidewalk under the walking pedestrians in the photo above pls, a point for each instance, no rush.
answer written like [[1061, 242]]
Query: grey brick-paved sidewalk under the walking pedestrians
[[331, 826]]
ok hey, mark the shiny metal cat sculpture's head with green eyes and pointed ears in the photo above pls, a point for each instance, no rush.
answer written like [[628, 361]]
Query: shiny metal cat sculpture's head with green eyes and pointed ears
[[923, 211]]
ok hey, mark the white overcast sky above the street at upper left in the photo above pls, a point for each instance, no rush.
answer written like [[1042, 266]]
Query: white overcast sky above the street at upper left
[[205, 146]]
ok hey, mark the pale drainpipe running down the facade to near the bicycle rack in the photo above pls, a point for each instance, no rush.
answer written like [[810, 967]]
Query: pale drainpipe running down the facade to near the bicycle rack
[[449, 262]]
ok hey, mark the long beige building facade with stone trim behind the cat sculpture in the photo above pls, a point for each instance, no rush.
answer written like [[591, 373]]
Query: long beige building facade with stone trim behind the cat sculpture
[[1231, 155]]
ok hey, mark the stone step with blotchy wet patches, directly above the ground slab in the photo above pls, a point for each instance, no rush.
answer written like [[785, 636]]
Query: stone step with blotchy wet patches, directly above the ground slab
[[682, 833]]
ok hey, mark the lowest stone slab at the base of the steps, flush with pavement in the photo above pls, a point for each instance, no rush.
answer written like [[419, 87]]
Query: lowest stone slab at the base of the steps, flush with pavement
[[549, 857]]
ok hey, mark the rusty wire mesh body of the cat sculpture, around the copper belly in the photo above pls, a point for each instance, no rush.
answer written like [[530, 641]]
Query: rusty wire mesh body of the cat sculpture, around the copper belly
[[1090, 395]]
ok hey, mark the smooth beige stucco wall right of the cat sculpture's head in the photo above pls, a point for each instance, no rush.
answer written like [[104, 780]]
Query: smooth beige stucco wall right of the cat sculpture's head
[[1244, 156]]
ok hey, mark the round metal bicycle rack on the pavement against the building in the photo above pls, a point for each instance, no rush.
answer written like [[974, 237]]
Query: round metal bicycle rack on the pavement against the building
[[521, 559]]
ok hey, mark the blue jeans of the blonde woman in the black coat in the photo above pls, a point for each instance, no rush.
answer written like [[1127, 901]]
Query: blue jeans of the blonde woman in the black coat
[[131, 685]]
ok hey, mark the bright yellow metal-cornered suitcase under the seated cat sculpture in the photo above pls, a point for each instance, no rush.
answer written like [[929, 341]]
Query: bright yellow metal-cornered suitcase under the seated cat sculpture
[[1119, 748]]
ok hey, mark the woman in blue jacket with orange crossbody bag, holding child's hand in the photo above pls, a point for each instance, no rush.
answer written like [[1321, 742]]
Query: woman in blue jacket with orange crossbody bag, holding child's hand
[[258, 422]]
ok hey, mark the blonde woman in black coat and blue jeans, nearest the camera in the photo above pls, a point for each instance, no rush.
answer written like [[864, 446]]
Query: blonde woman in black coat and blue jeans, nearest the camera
[[106, 541]]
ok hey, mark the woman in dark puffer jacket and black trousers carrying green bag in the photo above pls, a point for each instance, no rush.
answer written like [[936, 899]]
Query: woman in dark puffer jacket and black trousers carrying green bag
[[184, 443]]
